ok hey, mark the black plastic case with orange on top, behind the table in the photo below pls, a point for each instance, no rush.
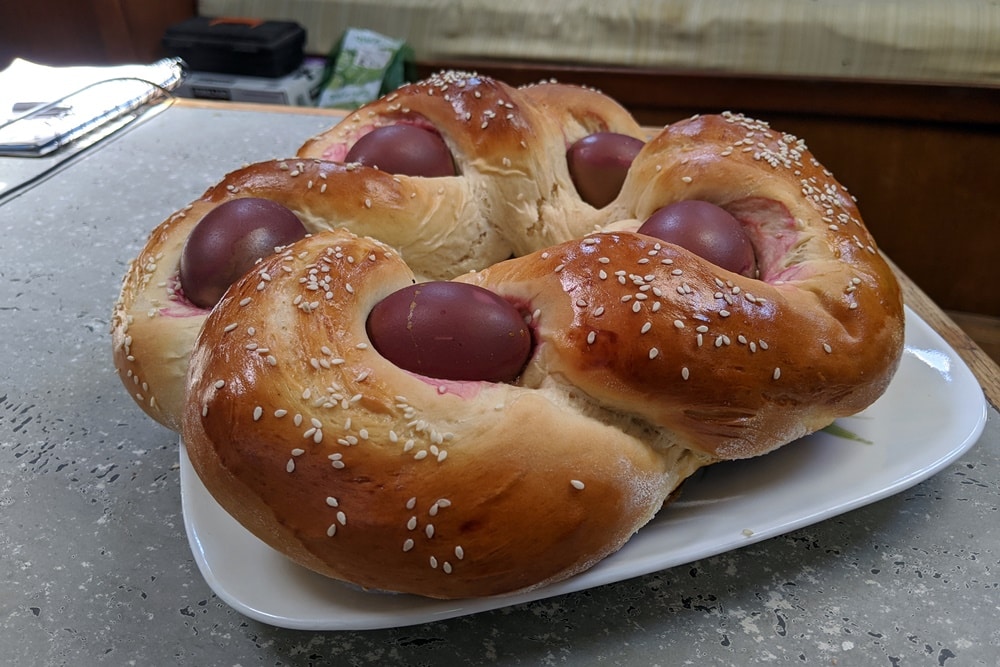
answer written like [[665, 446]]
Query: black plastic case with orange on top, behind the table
[[237, 46]]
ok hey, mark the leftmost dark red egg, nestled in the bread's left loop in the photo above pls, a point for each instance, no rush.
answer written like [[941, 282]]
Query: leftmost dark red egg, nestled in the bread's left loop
[[228, 241]]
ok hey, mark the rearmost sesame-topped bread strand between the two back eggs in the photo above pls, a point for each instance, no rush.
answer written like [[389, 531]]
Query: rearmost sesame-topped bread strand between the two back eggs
[[509, 146]]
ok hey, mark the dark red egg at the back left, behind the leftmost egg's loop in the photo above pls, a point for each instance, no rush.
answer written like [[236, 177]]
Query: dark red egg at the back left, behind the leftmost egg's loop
[[404, 149]]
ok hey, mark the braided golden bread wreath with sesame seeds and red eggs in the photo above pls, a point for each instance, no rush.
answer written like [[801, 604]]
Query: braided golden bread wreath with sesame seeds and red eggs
[[602, 366]]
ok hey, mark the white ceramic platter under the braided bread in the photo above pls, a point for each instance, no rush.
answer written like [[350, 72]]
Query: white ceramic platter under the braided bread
[[933, 411]]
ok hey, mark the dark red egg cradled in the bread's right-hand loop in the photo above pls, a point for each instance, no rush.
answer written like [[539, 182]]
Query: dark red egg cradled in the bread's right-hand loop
[[706, 230]]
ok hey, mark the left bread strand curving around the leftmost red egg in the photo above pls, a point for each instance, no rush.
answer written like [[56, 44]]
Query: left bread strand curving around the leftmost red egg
[[154, 326]]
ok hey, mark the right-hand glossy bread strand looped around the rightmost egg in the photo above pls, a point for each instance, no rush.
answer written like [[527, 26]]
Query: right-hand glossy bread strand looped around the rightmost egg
[[651, 329]]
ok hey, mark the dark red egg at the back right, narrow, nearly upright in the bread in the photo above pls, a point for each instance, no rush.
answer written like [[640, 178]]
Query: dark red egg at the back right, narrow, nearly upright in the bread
[[598, 164]]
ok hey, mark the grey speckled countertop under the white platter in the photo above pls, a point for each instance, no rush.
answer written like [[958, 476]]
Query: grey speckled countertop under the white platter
[[95, 567]]
